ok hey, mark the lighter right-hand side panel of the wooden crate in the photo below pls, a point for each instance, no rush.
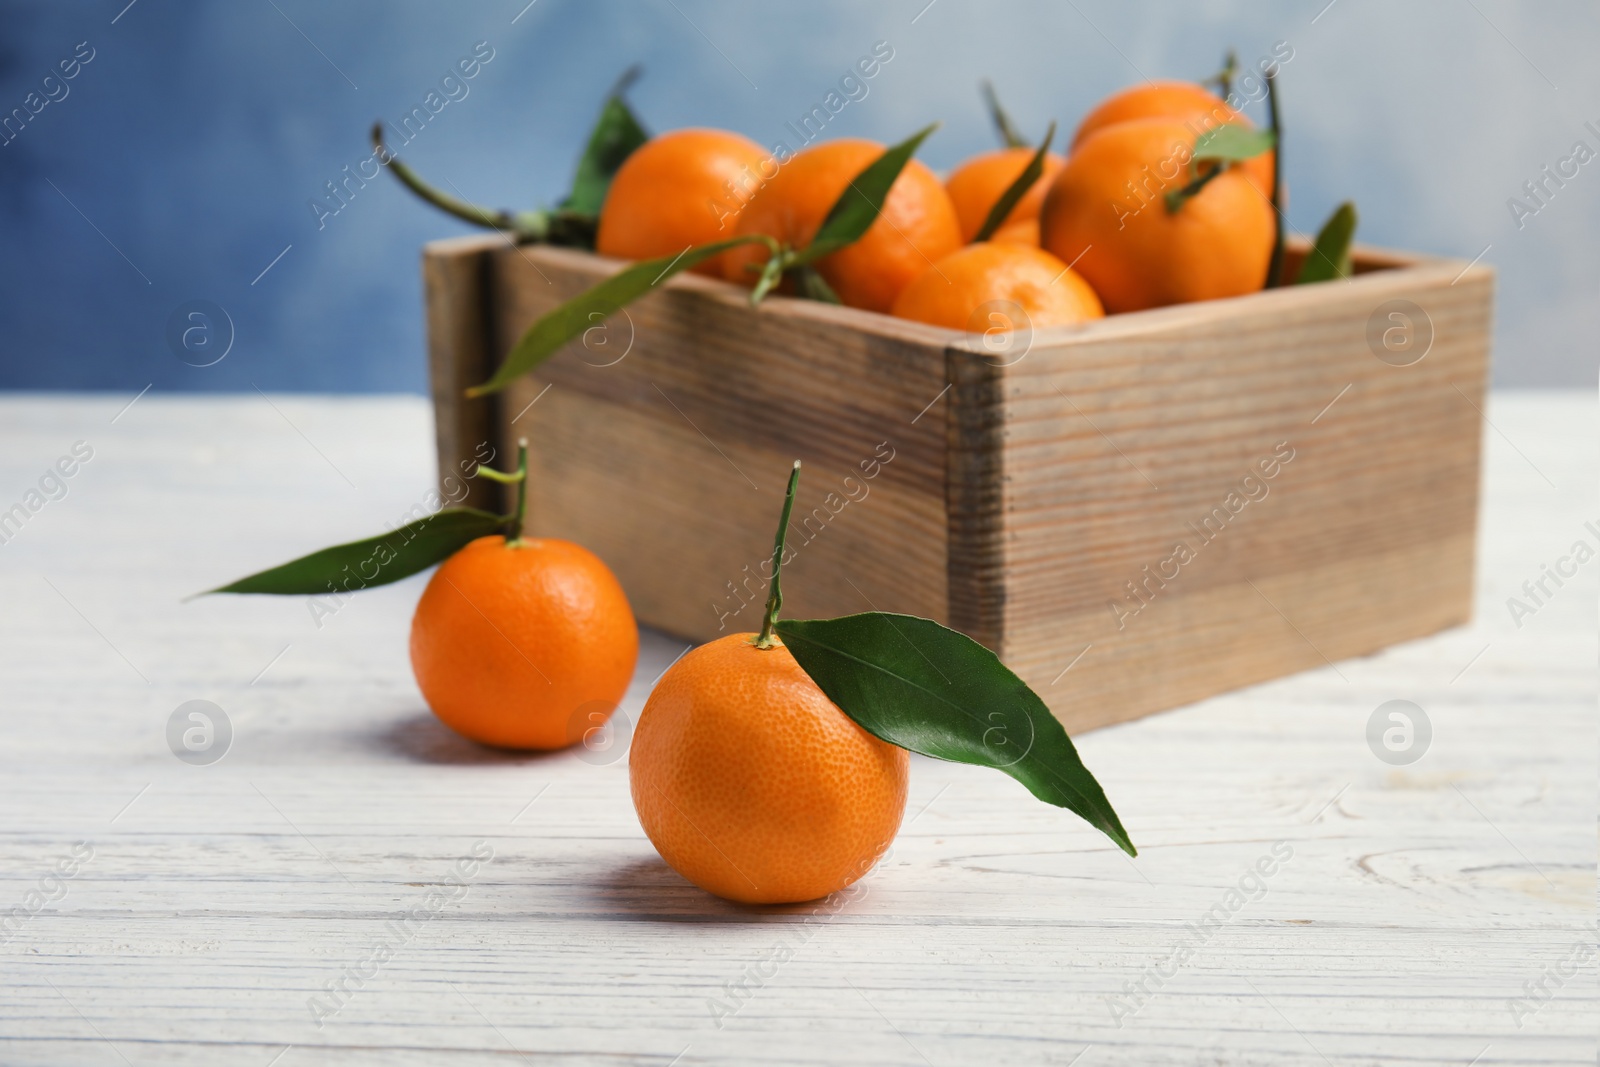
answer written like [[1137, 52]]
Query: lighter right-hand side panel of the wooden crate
[[1138, 514]]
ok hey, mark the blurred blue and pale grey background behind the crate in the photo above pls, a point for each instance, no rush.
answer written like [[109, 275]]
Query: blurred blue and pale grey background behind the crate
[[186, 153]]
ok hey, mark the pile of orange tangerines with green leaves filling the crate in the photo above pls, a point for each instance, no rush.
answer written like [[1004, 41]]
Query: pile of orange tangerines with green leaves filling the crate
[[1166, 194]]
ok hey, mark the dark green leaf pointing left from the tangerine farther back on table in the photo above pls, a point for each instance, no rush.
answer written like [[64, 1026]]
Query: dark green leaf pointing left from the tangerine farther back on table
[[390, 557]]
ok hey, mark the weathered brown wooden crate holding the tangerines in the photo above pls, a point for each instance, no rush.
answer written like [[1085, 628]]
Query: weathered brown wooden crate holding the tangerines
[[1033, 500]]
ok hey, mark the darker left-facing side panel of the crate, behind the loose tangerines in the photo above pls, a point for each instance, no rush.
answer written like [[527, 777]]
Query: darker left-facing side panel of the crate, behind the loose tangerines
[[671, 462]]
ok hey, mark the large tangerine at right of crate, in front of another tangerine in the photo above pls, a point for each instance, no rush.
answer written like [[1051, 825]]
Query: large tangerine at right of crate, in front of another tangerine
[[1106, 215]]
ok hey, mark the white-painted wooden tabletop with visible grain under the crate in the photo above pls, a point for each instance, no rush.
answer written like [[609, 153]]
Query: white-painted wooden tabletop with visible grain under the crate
[[202, 914]]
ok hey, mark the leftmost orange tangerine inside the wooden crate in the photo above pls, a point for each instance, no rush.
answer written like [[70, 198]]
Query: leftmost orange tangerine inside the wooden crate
[[679, 190]]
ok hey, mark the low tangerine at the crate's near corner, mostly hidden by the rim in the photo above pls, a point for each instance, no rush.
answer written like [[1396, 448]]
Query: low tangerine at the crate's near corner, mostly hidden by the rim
[[975, 287]]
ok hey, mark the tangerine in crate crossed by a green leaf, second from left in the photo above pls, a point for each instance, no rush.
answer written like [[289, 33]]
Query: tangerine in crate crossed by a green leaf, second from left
[[916, 228]]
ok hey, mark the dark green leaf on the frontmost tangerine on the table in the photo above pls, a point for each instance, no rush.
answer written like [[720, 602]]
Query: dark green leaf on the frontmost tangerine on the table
[[927, 689]]
